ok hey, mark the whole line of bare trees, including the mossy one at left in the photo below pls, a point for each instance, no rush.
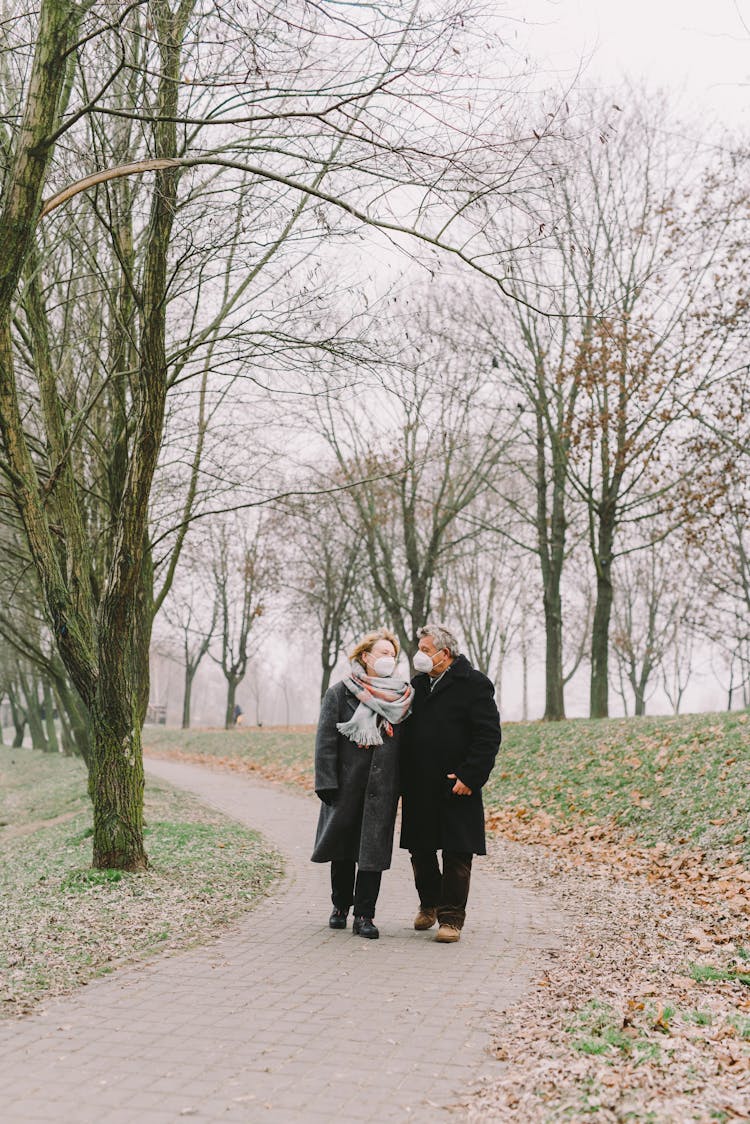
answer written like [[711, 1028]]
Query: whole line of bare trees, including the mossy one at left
[[212, 418]]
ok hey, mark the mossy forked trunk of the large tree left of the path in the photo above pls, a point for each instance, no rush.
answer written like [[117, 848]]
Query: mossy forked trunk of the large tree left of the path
[[102, 626]]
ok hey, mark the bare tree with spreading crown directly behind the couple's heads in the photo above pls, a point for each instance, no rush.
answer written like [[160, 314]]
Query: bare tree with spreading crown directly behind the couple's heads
[[429, 440]]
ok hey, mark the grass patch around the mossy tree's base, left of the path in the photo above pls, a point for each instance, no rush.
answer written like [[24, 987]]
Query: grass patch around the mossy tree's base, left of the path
[[64, 923]]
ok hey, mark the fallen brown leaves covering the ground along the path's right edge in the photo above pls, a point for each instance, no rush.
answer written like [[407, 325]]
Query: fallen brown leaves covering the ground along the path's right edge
[[617, 1027]]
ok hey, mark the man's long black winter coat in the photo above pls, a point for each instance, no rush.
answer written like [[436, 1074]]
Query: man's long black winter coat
[[456, 729]]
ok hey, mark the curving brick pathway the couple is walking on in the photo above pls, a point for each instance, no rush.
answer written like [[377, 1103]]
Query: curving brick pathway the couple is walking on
[[283, 1020]]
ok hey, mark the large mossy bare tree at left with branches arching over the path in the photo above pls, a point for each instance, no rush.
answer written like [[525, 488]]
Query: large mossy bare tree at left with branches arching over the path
[[122, 89]]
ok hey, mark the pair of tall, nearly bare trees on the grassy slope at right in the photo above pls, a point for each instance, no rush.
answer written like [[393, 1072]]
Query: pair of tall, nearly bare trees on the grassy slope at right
[[635, 333]]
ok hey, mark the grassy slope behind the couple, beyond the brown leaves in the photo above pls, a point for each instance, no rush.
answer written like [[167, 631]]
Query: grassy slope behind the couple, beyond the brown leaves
[[676, 781]]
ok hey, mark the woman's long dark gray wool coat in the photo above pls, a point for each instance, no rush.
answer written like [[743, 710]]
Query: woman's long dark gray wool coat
[[359, 826]]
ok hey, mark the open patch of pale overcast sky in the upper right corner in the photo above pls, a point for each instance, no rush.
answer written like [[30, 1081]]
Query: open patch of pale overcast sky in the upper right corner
[[699, 49]]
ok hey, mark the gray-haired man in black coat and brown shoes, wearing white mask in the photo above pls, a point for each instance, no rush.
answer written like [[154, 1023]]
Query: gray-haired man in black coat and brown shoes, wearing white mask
[[448, 751]]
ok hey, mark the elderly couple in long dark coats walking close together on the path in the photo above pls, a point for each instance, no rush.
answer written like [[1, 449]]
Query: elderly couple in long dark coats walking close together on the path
[[435, 741]]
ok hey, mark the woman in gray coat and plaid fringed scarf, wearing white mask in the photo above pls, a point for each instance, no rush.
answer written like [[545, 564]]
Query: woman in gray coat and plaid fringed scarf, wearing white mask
[[357, 778]]
